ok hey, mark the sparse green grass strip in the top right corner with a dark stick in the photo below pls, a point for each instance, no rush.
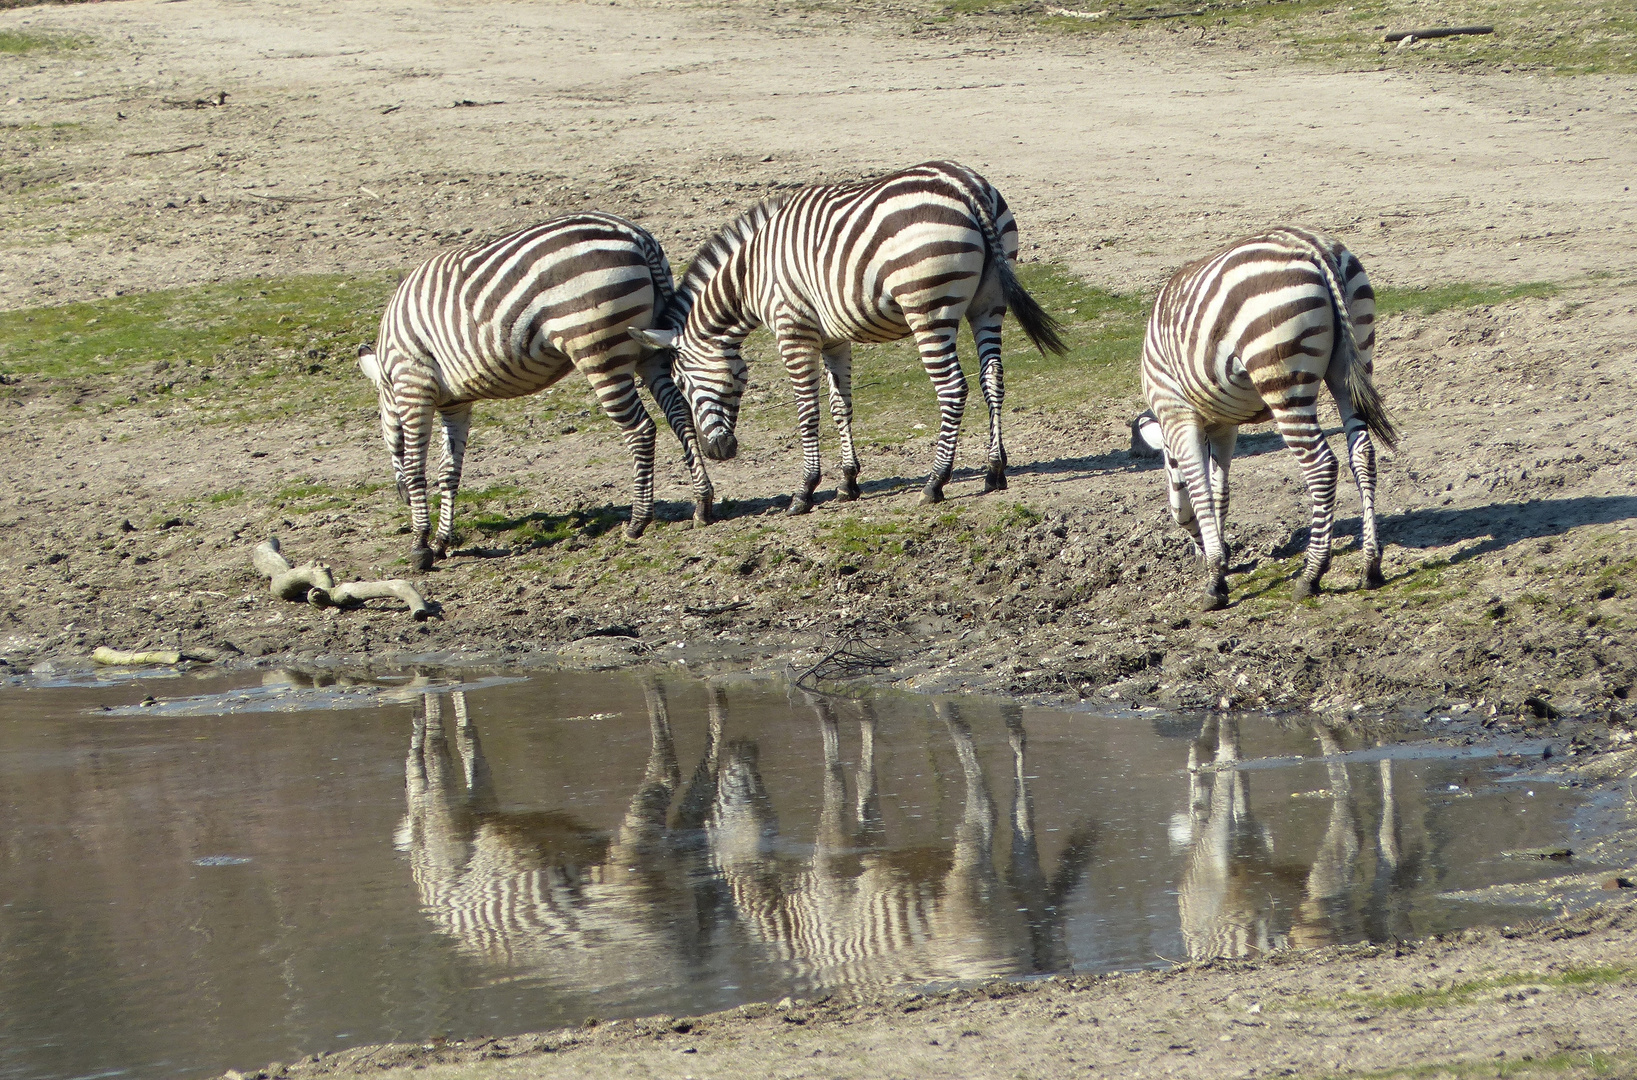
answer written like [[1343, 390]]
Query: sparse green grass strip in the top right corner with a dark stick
[[1554, 37]]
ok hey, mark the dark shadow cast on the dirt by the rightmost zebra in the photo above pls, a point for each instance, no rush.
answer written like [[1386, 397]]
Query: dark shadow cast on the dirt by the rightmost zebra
[[1499, 524]]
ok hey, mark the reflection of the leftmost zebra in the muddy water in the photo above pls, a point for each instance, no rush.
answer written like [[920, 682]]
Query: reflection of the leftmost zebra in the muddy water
[[541, 894]]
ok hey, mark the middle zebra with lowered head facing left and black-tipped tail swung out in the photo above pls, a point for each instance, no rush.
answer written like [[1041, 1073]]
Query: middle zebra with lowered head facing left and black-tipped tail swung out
[[909, 254]]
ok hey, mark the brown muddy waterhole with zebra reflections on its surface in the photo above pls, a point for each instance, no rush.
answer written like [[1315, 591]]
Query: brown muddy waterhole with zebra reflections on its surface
[[238, 873]]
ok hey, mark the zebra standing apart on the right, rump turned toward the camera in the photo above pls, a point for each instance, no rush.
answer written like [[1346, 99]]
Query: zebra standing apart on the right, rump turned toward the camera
[[1247, 336]]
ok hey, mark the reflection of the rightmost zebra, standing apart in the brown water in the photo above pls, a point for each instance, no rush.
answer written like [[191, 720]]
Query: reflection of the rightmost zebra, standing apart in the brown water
[[1235, 901]]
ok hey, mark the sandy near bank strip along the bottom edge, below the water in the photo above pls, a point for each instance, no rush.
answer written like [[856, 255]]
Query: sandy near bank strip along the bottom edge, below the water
[[1528, 1002]]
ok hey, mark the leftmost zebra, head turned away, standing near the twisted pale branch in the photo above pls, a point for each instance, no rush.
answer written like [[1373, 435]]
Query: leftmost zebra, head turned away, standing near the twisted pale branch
[[510, 318]]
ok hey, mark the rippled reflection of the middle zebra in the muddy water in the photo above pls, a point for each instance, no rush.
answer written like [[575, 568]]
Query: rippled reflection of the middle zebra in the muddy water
[[859, 914]]
